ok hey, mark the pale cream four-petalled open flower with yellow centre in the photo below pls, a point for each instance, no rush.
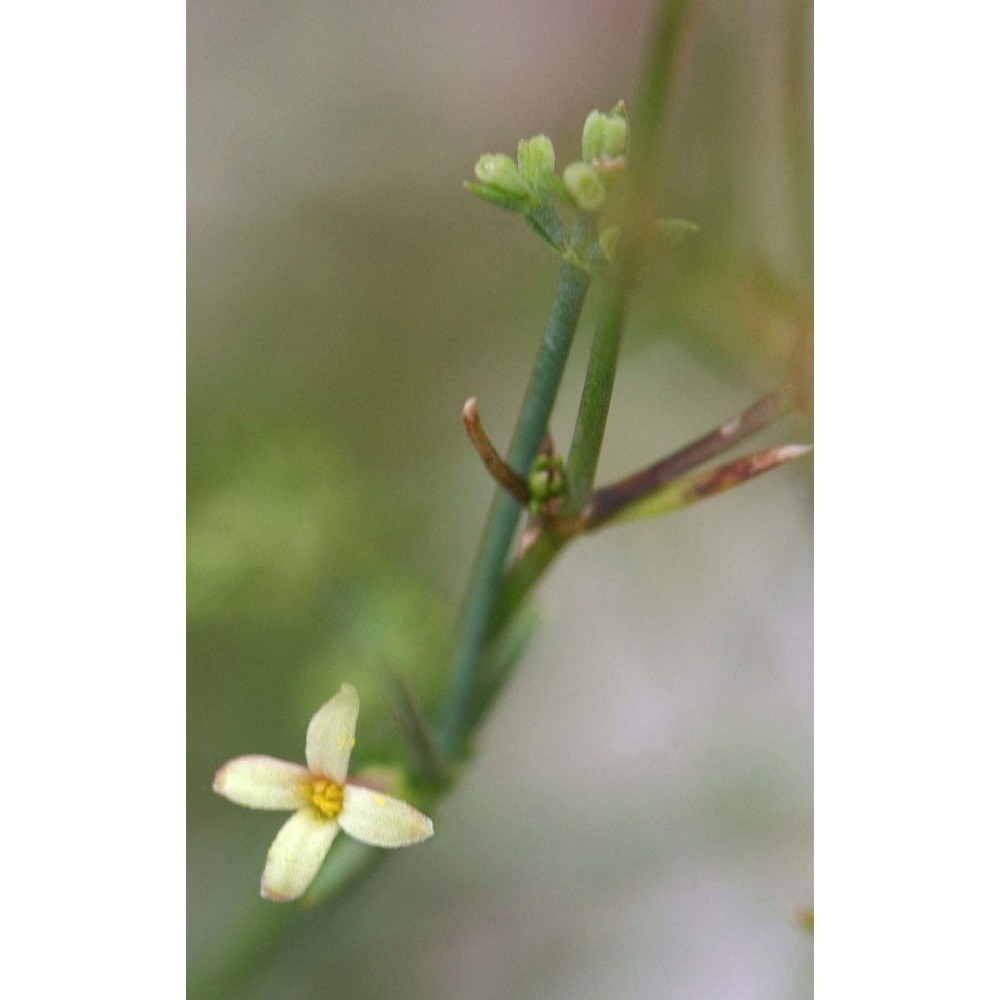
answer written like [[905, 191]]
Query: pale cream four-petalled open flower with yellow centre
[[324, 799]]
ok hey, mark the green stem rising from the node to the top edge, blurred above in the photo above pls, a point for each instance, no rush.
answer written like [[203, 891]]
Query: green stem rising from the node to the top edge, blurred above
[[644, 147]]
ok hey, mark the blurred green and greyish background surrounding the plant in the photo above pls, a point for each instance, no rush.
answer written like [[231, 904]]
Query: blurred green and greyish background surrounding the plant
[[638, 819]]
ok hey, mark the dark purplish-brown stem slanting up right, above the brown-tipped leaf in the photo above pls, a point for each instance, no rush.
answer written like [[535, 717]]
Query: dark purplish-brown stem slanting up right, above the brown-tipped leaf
[[607, 501]]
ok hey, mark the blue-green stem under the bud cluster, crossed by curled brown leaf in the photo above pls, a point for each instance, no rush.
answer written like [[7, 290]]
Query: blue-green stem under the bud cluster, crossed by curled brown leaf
[[487, 571]]
